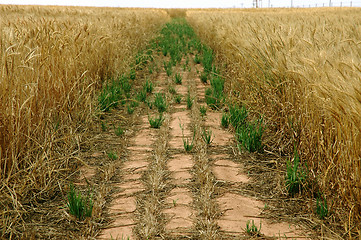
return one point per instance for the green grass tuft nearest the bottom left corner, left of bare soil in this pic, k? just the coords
(78, 205)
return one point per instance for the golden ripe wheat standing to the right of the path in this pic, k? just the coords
(301, 69)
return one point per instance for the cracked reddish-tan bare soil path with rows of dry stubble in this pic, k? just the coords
(163, 192)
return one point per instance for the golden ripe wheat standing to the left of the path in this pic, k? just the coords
(53, 60)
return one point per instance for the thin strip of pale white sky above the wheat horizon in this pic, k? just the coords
(187, 3)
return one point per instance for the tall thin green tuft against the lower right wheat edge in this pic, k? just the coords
(295, 177)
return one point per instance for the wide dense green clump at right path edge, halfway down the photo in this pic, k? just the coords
(250, 135)
